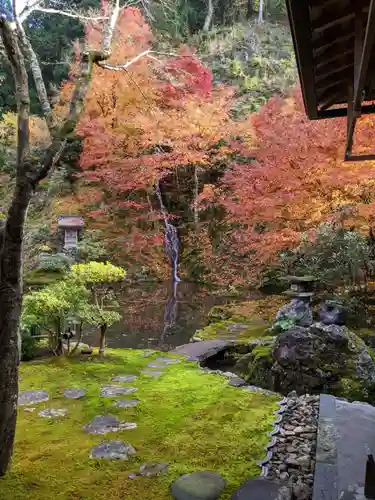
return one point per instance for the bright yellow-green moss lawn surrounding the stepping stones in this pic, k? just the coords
(189, 418)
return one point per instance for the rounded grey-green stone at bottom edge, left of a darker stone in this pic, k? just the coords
(199, 486)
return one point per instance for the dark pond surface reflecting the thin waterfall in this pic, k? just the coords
(161, 315)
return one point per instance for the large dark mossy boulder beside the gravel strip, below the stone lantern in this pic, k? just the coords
(314, 359)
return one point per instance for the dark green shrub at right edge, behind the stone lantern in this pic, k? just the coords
(335, 257)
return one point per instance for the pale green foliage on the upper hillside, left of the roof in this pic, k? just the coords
(257, 59)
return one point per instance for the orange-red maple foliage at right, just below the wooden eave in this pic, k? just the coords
(297, 180)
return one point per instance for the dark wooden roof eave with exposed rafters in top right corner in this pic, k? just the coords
(334, 45)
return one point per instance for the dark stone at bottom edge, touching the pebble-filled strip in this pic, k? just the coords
(262, 489)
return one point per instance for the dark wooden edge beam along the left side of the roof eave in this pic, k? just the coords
(299, 19)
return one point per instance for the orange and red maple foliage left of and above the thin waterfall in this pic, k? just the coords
(138, 126)
